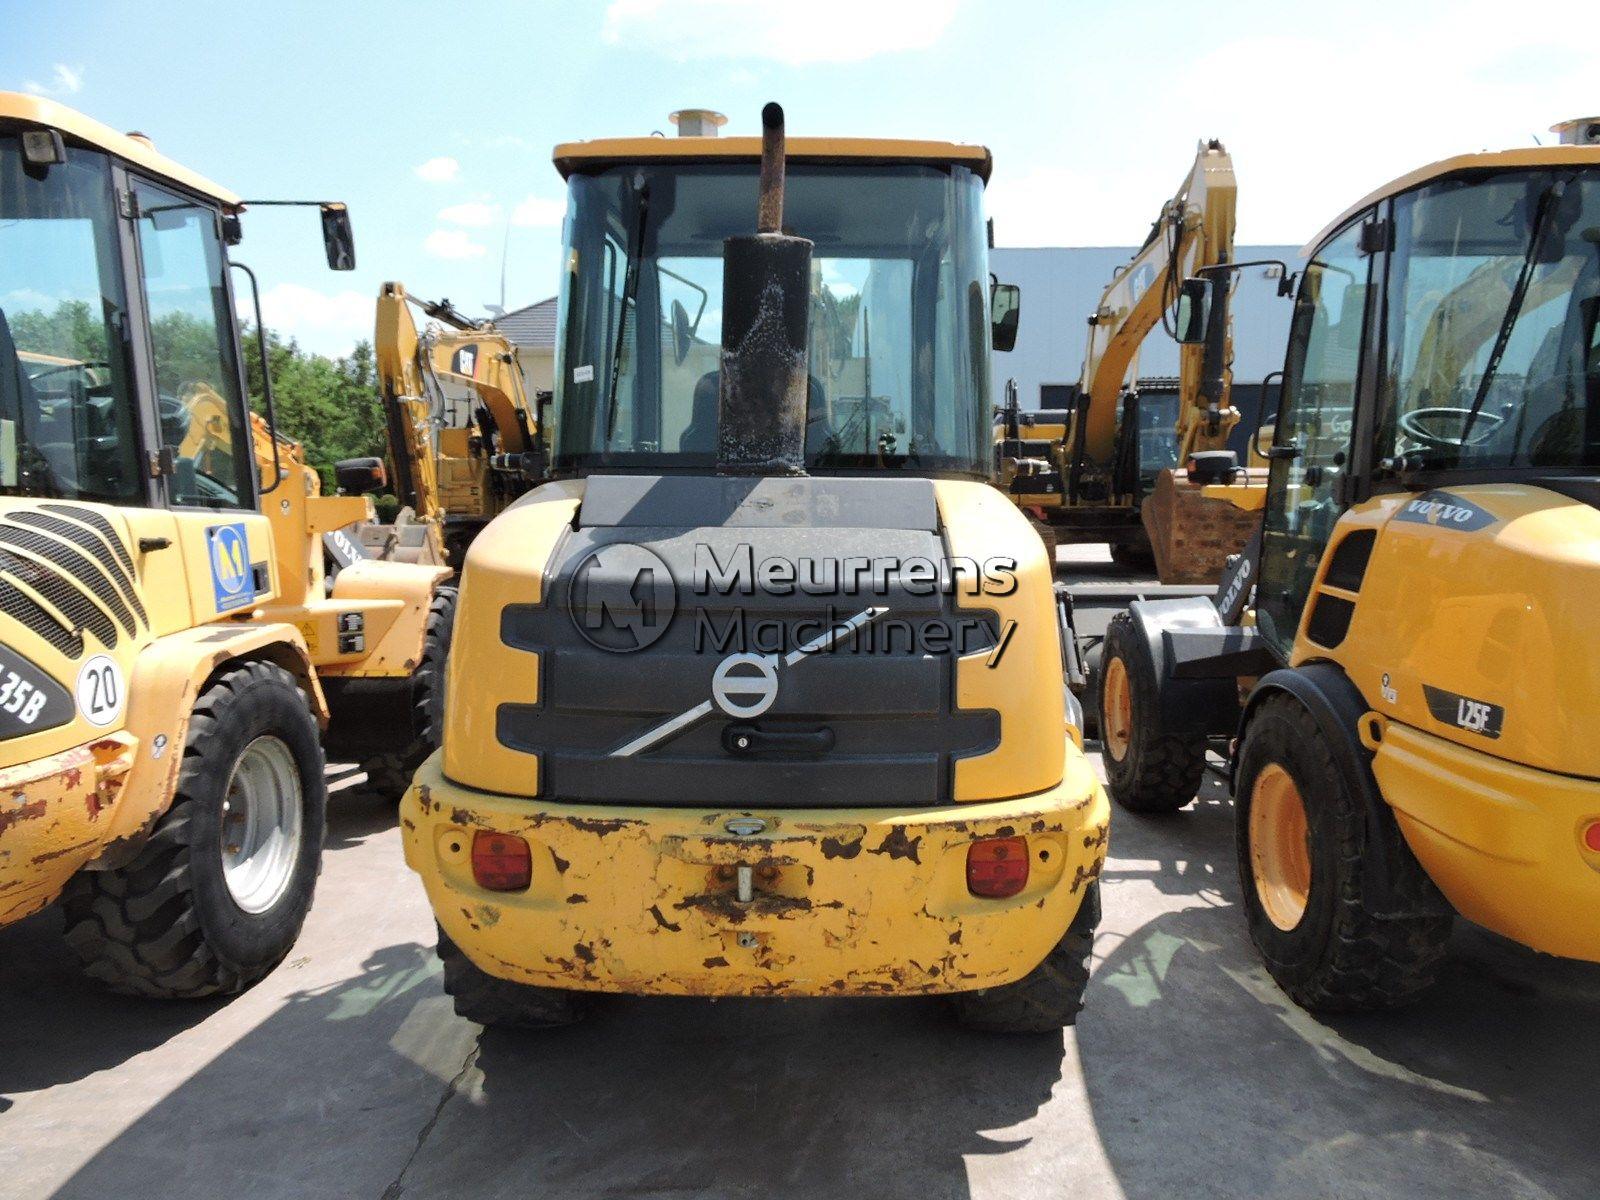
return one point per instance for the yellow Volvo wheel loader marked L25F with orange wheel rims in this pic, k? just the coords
(1409, 700)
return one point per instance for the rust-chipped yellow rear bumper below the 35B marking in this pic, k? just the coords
(55, 815)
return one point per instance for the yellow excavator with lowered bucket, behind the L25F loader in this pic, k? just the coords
(1145, 465)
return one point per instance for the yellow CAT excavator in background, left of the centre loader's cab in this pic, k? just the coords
(465, 439)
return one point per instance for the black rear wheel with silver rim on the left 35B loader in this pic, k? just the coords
(175, 922)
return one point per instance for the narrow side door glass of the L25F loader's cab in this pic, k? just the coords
(1316, 420)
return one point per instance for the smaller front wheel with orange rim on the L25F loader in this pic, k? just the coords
(1150, 769)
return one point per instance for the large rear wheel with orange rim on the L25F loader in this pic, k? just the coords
(1337, 956)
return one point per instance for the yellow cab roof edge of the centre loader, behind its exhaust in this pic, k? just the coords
(578, 158)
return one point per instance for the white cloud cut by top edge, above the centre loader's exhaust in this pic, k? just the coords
(822, 31)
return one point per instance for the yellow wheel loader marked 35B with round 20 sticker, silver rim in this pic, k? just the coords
(166, 617)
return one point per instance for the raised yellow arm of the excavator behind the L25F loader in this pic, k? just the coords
(1194, 231)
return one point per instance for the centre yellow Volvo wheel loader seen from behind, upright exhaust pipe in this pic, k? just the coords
(764, 694)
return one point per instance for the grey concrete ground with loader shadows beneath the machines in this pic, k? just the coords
(346, 1074)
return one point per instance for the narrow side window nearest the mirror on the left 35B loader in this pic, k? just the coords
(202, 414)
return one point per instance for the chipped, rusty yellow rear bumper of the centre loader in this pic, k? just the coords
(846, 902)
